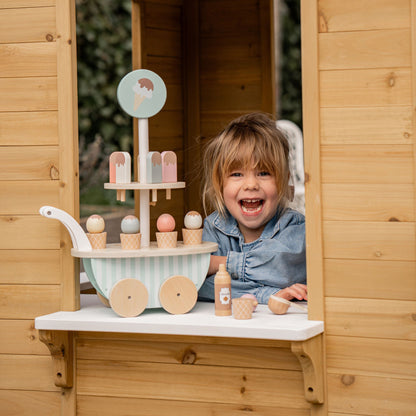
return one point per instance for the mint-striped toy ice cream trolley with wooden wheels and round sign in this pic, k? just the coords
(150, 276)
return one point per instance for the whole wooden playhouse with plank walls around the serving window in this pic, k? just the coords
(216, 56)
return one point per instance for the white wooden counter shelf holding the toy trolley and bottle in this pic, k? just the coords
(201, 321)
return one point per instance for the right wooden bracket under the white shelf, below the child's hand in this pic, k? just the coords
(310, 356)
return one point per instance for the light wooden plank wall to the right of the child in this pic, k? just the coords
(359, 63)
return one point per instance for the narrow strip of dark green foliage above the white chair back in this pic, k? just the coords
(290, 62)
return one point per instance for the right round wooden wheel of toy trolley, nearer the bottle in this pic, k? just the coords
(178, 294)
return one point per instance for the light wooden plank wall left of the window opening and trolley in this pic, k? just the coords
(38, 155)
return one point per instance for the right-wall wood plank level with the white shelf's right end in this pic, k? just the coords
(370, 318)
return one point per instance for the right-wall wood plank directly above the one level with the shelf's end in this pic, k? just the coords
(370, 279)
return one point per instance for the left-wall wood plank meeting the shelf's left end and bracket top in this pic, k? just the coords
(22, 338)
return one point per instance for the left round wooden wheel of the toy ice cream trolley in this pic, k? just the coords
(129, 298)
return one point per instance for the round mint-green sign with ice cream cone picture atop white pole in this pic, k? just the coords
(141, 93)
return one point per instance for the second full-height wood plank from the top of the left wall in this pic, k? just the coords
(28, 59)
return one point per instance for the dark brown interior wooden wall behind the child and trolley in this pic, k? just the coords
(217, 62)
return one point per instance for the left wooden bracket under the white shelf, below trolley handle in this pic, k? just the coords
(60, 346)
